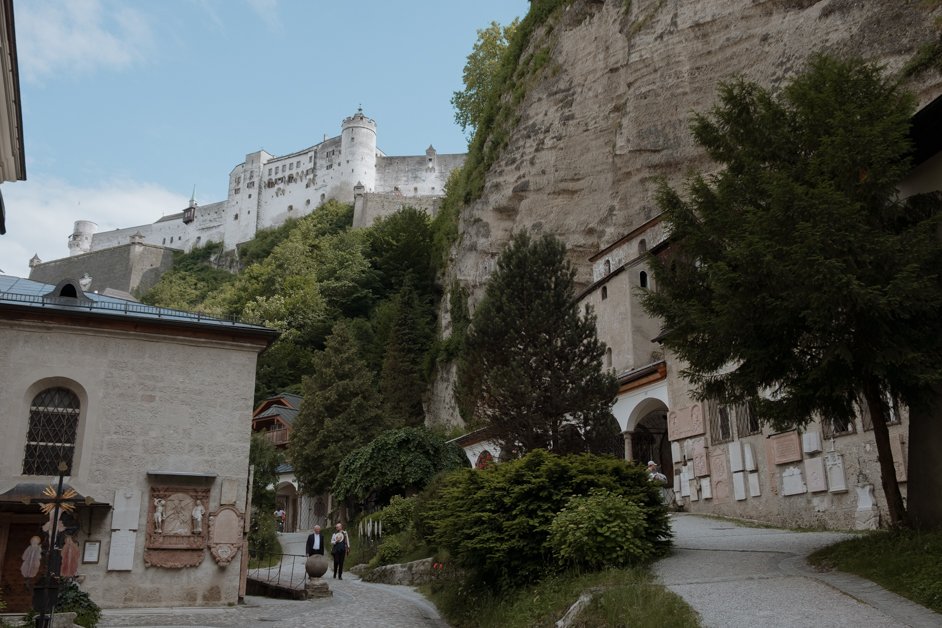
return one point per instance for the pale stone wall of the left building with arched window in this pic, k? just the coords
(148, 404)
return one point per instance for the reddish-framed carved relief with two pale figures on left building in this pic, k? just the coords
(176, 537)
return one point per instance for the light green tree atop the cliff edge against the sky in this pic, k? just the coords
(480, 72)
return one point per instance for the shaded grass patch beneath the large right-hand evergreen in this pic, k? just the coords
(905, 562)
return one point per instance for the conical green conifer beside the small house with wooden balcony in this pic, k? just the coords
(340, 412)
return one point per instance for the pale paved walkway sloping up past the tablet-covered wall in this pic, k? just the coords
(740, 577)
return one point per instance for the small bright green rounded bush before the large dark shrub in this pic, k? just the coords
(600, 530)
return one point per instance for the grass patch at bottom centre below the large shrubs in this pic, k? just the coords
(624, 597)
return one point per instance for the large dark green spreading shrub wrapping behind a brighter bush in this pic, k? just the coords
(495, 522)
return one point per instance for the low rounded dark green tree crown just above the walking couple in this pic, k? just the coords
(398, 462)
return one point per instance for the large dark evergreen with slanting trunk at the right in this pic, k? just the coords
(799, 280)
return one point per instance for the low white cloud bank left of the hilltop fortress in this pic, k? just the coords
(40, 214)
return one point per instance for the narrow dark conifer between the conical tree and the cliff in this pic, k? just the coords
(403, 380)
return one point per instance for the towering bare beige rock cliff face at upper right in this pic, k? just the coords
(608, 113)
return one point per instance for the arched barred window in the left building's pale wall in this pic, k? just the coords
(53, 426)
